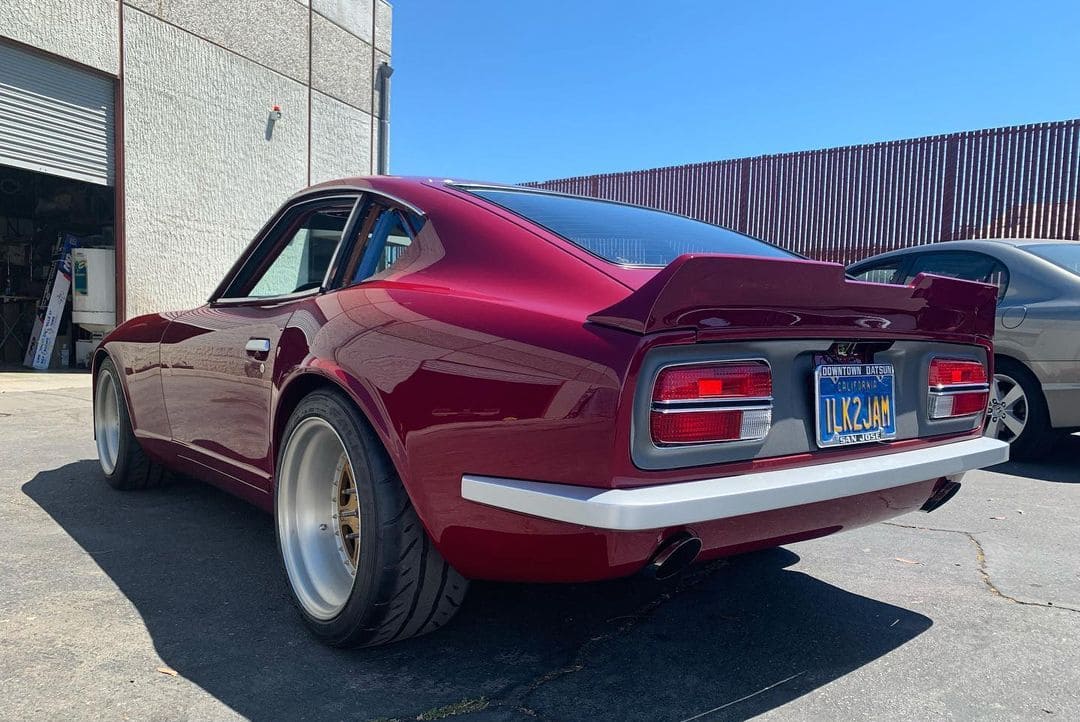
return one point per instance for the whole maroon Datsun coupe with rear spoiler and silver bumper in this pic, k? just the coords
(428, 382)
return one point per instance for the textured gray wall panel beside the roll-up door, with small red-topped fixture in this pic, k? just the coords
(200, 175)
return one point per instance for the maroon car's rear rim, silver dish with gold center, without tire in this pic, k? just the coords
(319, 519)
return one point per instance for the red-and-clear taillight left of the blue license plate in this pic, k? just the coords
(725, 402)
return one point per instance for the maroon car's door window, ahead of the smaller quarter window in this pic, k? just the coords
(296, 254)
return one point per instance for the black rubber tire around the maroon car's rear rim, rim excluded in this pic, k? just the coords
(403, 588)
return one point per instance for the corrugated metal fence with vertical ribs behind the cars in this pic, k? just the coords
(844, 205)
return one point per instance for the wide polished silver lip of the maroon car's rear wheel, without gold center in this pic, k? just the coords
(317, 567)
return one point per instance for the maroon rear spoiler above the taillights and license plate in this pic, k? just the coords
(724, 294)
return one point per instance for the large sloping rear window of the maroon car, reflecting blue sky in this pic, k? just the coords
(627, 235)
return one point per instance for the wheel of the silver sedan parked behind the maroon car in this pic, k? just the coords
(1018, 413)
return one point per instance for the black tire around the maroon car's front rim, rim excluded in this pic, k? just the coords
(133, 469)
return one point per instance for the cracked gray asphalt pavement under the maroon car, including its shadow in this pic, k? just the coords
(170, 605)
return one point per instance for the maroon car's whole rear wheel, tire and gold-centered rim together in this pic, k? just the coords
(360, 565)
